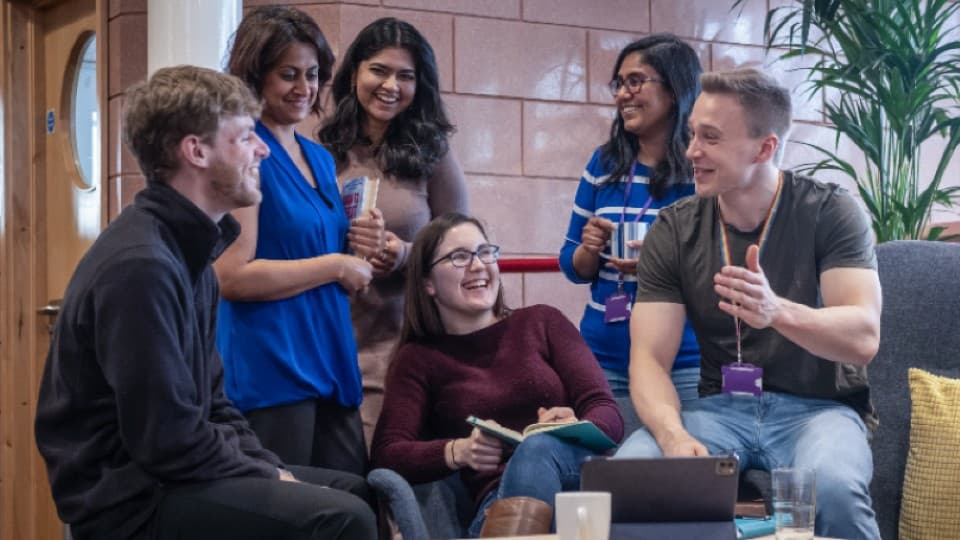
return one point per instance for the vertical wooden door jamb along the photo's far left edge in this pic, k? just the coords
(19, 239)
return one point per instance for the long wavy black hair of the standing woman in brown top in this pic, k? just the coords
(416, 138)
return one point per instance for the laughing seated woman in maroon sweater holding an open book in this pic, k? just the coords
(463, 353)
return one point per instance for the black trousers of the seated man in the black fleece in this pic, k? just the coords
(325, 504)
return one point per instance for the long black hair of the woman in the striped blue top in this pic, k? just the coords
(678, 65)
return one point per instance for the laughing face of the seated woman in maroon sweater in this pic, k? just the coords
(465, 297)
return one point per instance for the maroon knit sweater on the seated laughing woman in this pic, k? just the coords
(533, 358)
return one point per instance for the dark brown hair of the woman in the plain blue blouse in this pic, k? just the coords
(262, 38)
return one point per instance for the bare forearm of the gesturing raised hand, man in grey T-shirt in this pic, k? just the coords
(848, 334)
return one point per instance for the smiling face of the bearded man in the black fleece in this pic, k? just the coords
(234, 170)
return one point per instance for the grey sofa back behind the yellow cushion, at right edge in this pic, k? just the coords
(919, 328)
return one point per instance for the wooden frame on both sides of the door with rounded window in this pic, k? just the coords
(26, 509)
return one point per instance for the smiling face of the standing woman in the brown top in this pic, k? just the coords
(386, 83)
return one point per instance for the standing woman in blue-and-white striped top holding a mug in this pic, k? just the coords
(640, 169)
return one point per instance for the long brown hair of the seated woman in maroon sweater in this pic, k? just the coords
(421, 318)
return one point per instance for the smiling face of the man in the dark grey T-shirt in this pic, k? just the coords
(722, 151)
